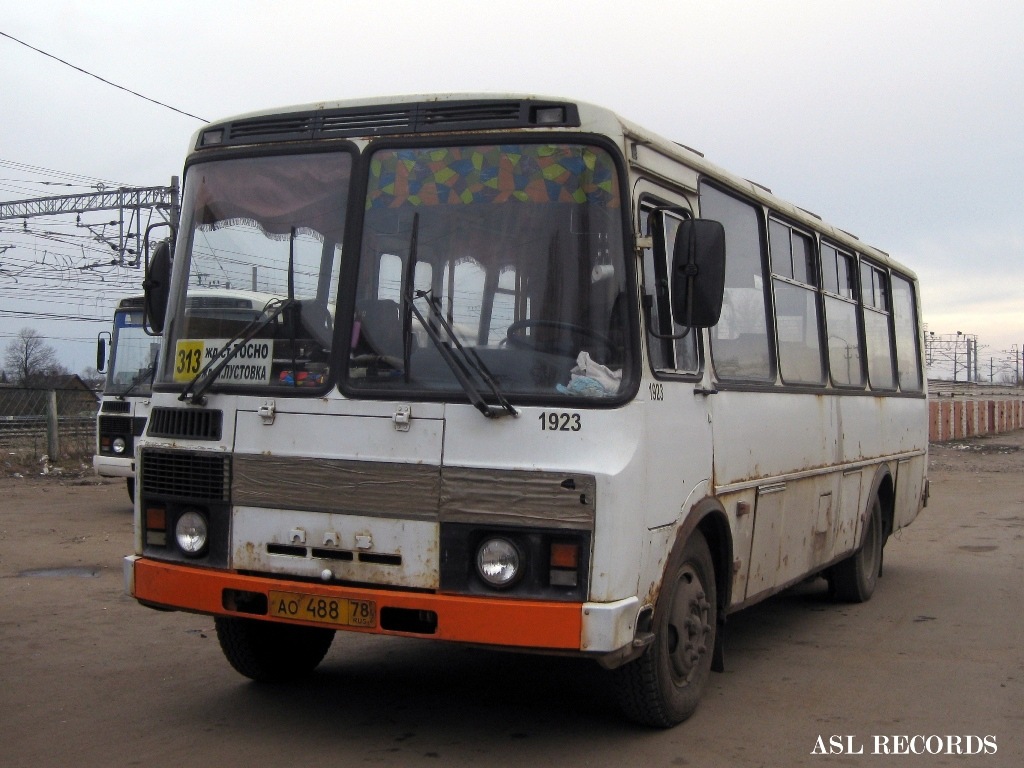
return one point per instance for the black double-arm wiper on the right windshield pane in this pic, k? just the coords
(461, 368)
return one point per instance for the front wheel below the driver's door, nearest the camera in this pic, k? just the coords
(663, 688)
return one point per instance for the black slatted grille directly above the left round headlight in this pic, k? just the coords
(177, 474)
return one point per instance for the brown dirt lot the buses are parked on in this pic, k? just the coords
(90, 678)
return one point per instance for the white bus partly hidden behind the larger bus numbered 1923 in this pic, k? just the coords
(129, 356)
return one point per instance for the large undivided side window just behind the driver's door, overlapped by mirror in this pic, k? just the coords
(741, 346)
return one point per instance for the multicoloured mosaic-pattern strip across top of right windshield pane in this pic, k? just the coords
(528, 174)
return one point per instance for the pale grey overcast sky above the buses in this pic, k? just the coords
(900, 122)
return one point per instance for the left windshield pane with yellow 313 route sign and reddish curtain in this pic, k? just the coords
(261, 237)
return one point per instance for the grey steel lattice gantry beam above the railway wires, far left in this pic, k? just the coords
(130, 201)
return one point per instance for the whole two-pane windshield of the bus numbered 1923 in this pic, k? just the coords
(492, 268)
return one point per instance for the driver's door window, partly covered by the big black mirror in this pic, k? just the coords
(667, 356)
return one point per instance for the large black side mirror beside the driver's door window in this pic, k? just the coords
(699, 273)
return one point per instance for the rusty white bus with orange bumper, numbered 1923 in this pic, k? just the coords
(535, 378)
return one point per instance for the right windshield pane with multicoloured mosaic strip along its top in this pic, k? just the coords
(511, 257)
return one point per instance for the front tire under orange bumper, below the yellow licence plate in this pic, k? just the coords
(271, 653)
